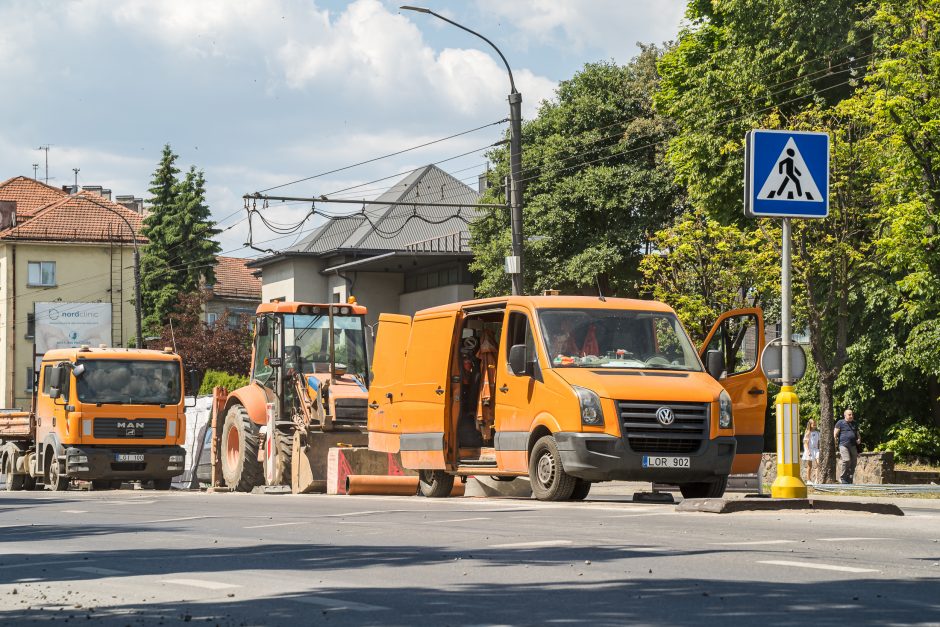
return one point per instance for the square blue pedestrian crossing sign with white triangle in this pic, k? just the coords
(786, 174)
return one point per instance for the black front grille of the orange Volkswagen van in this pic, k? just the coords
(646, 434)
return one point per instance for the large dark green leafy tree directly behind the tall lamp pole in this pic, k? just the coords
(596, 186)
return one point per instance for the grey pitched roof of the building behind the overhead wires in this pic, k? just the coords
(394, 227)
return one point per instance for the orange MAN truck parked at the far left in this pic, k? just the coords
(102, 415)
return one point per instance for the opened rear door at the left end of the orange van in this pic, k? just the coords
(388, 366)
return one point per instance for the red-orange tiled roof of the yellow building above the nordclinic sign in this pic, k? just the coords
(84, 217)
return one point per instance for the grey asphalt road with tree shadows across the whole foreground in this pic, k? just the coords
(142, 557)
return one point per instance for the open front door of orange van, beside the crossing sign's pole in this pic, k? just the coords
(739, 335)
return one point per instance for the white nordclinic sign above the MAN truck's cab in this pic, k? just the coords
(69, 325)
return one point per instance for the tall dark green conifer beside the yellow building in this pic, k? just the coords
(179, 254)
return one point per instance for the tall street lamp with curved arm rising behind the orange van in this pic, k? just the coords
(514, 263)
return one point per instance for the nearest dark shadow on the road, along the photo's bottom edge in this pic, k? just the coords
(637, 598)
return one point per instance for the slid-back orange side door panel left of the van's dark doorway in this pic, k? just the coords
(424, 409)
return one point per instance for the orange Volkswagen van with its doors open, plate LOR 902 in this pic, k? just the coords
(569, 390)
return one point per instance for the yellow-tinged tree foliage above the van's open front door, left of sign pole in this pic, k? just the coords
(703, 268)
